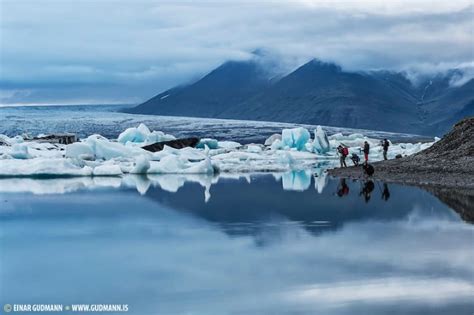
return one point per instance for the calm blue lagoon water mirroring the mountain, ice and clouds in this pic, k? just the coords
(260, 244)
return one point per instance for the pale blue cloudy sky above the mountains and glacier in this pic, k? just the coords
(117, 51)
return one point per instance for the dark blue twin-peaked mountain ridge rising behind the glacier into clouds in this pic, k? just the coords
(320, 93)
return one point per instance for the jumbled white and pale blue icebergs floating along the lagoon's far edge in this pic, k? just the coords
(293, 150)
